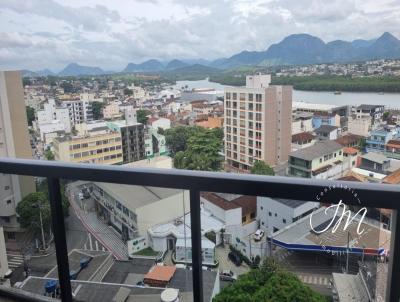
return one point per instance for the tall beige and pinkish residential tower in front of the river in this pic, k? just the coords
(258, 121)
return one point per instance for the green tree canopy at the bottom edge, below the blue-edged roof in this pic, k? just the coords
(268, 283)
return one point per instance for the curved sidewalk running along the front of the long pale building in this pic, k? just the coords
(98, 228)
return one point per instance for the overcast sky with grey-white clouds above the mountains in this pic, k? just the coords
(38, 34)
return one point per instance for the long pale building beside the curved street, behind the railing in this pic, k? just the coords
(132, 210)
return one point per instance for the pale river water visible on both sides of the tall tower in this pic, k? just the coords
(321, 97)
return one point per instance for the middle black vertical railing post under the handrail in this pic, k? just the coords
(195, 224)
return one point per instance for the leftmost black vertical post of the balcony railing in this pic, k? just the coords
(57, 219)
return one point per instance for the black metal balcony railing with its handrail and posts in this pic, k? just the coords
(371, 195)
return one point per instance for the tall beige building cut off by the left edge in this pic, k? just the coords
(14, 142)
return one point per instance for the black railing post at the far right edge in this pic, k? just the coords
(393, 280)
